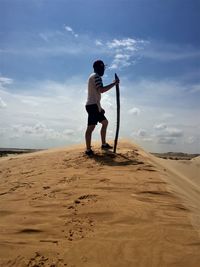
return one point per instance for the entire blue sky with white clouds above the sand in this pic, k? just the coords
(47, 48)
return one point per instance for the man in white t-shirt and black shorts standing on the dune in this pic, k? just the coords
(93, 106)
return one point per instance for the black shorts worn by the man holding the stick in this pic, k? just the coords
(94, 116)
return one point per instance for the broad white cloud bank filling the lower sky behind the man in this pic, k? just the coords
(49, 114)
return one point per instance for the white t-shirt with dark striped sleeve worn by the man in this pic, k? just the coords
(94, 94)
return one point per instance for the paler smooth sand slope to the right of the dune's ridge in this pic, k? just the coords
(183, 177)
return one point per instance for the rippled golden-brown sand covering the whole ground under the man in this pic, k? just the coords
(60, 208)
